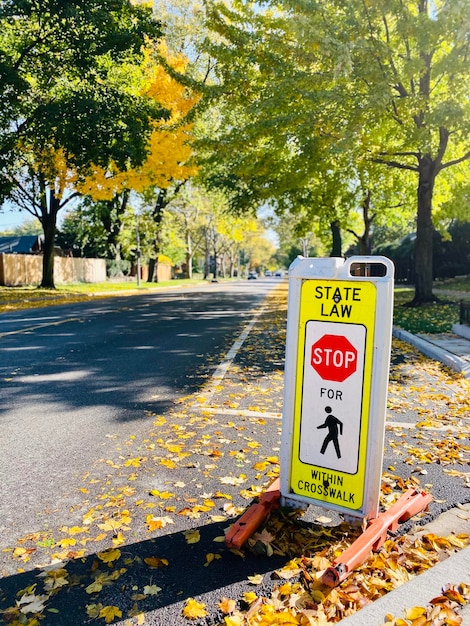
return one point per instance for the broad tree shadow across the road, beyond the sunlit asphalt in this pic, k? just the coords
(123, 353)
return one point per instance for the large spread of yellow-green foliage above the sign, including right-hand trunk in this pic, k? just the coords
(309, 88)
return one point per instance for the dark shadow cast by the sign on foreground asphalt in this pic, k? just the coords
(188, 574)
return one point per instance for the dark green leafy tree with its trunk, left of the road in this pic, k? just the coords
(69, 99)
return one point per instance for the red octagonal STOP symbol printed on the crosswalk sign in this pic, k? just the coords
(334, 357)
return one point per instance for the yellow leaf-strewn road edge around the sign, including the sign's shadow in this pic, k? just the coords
(148, 525)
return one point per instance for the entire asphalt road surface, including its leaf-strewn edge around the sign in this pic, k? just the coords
(92, 388)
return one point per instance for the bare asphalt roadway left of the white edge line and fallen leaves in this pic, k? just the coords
(76, 378)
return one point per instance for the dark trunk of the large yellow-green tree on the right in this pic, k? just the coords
(424, 232)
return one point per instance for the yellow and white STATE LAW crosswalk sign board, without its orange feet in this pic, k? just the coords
(337, 359)
